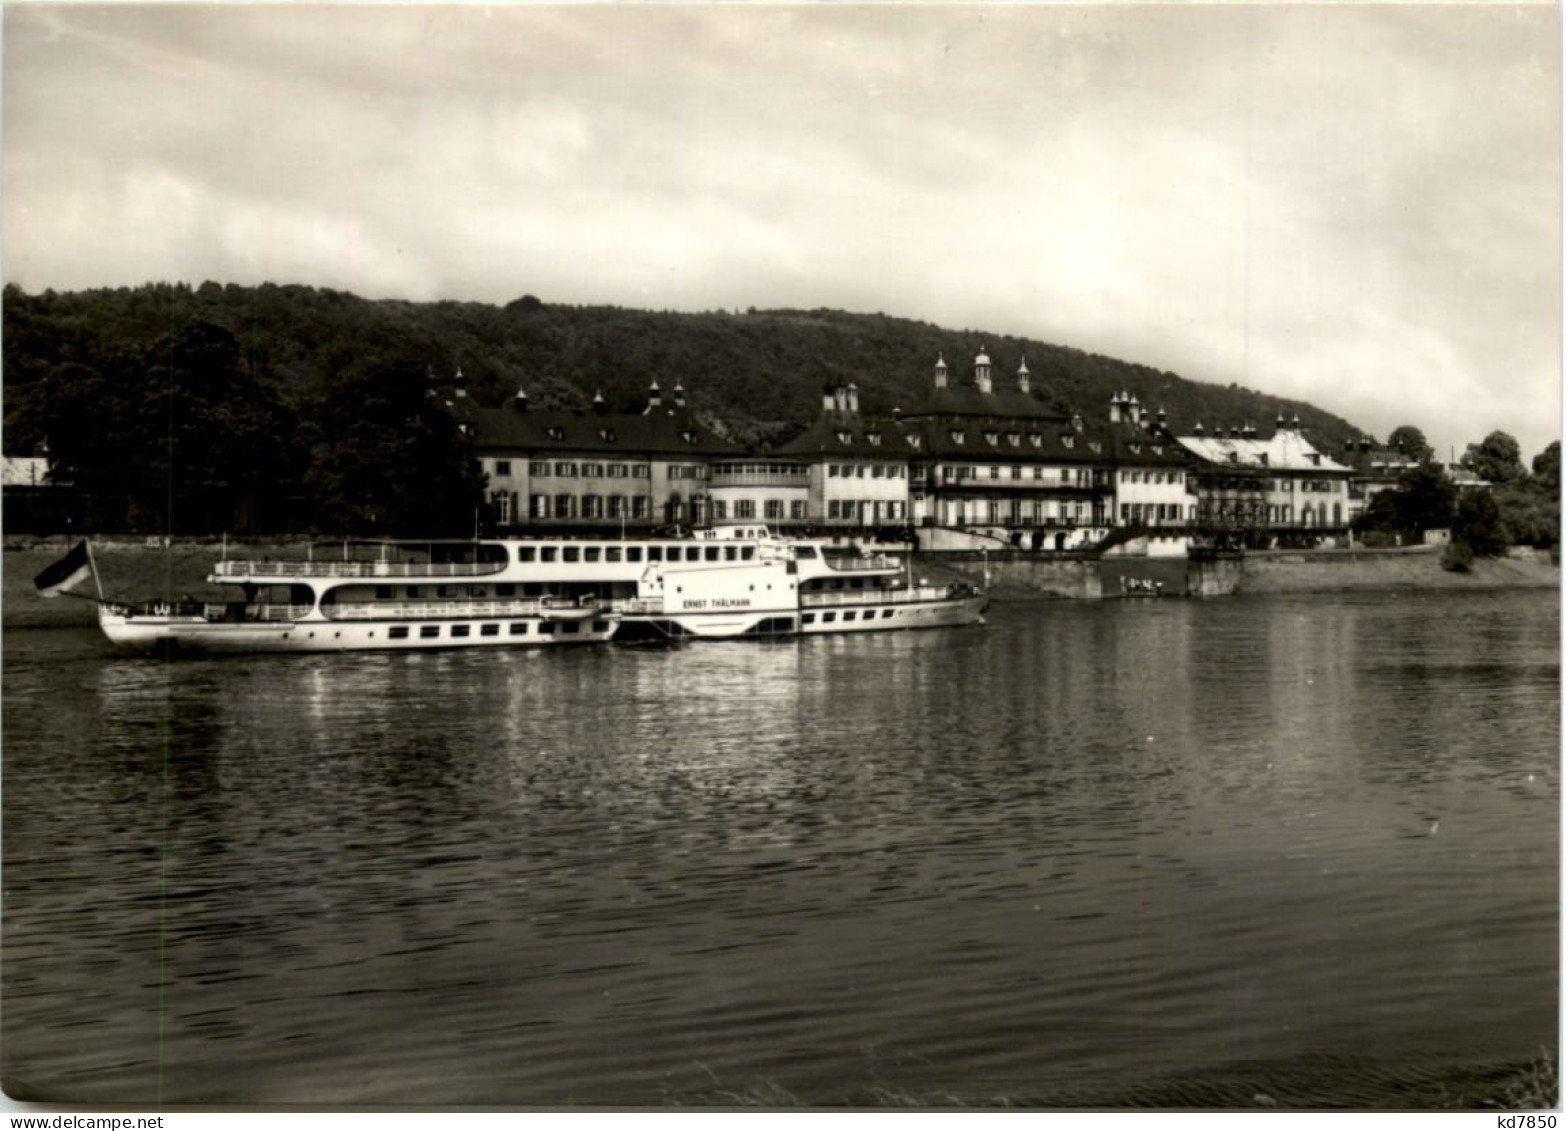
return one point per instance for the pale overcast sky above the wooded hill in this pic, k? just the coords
(1354, 206)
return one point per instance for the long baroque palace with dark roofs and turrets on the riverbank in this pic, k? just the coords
(973, 463)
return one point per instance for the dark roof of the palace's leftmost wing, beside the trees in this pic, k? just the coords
(657, 433)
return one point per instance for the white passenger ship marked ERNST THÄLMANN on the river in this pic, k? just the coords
(723, 584)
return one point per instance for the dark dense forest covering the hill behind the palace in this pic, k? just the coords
(306, 392)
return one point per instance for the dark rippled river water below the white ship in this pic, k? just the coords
(1294, 851)
